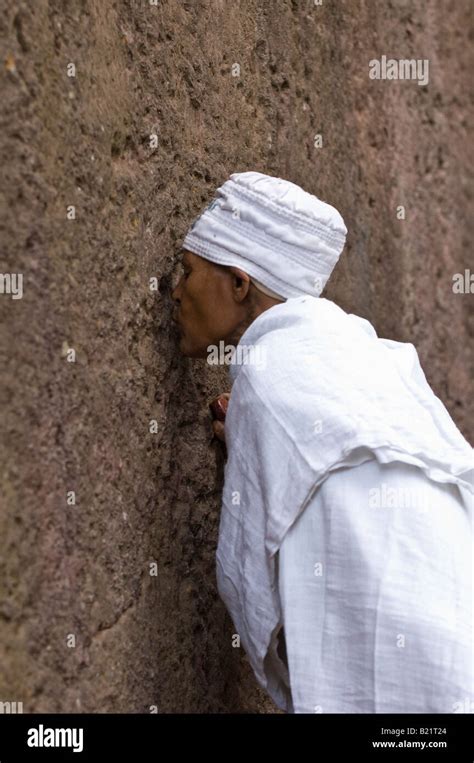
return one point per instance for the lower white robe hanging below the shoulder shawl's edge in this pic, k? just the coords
(375, 585)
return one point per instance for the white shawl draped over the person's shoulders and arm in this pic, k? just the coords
(330, 393)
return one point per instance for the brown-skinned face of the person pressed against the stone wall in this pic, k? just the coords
(212, 301)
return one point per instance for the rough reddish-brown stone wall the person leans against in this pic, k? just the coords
(83, 570)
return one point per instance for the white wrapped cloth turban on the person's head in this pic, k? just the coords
(271, 229)
